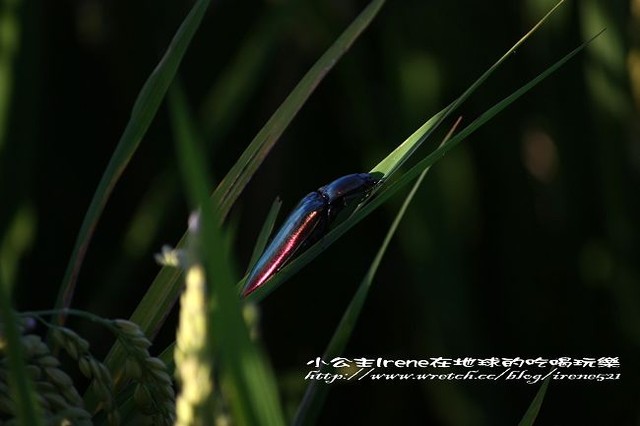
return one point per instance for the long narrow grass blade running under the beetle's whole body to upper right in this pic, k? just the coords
(389, 189)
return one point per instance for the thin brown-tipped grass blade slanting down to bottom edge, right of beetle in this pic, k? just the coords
(317, 391)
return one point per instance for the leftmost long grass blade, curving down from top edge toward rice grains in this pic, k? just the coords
(142, 114)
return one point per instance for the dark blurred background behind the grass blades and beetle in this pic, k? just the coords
(523, 241)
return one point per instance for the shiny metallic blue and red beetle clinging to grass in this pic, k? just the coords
(307, 223)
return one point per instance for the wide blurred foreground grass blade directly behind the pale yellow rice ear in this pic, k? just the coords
(248, 382)
